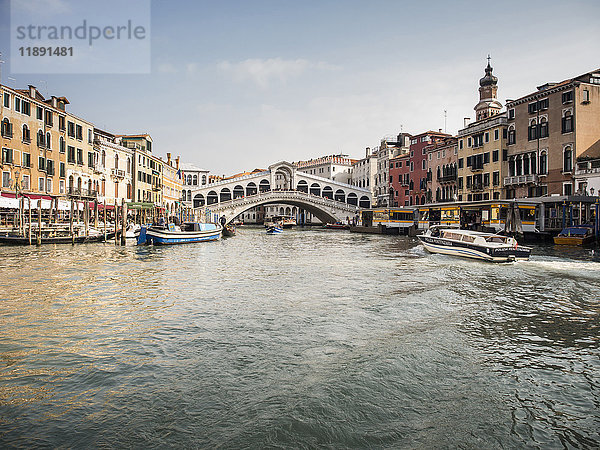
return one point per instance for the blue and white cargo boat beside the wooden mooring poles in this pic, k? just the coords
(187, 233)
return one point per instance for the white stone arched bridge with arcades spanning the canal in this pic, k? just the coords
(282, 183)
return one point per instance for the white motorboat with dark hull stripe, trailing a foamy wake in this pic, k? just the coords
(473, 244)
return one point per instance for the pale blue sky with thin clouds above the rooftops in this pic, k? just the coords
(238, 85)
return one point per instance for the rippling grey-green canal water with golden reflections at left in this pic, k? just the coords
(311, 338)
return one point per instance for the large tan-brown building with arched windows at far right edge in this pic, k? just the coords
(547, 131)
